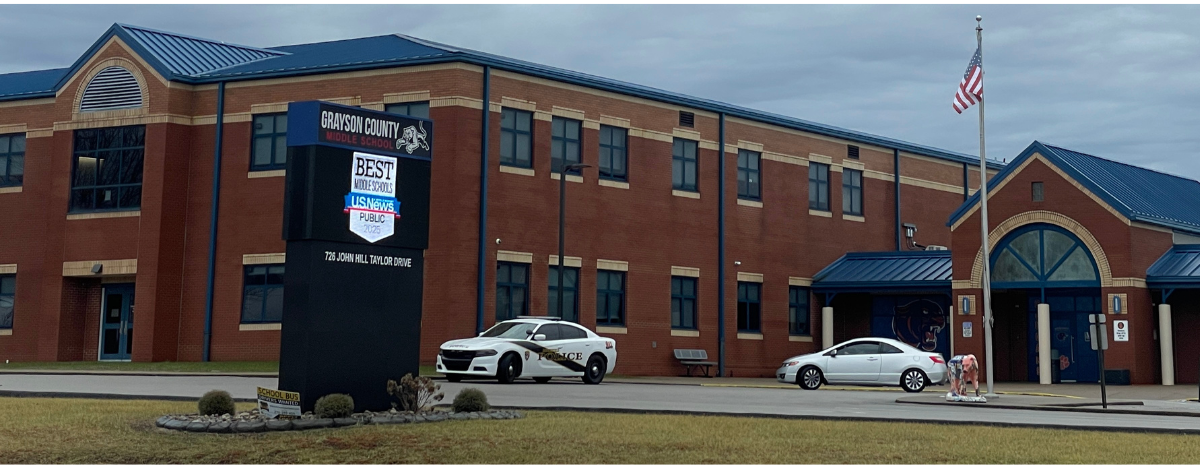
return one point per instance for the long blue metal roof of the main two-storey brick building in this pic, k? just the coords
(197, 62)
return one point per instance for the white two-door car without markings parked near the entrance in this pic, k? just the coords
(866, 361)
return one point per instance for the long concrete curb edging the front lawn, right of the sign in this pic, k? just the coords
(830, 419)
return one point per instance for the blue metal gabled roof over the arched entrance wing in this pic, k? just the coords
(1141, 195)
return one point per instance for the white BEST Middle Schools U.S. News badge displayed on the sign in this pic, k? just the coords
(373, 203)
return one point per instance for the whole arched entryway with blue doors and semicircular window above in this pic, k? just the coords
(1045, 264)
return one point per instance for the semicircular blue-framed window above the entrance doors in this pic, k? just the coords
(1043, 256)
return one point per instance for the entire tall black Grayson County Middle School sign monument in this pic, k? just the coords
(357, 224)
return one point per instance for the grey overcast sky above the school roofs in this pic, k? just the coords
(1119, 82)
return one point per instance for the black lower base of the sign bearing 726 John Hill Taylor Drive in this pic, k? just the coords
(353, 321)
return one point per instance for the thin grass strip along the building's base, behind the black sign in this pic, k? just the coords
(176, 367)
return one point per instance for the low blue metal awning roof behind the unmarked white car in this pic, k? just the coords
(886, 270)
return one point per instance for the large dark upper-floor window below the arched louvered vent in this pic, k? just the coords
(107, 170)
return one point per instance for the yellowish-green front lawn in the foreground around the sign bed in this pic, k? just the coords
(80, 431)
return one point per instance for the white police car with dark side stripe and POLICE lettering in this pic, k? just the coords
(532, 347)
